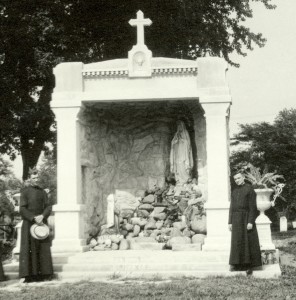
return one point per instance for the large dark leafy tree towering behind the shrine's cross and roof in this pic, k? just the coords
(37, 35)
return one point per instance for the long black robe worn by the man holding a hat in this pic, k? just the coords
(35, 255)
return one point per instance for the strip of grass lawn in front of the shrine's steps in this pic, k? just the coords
(238, 287)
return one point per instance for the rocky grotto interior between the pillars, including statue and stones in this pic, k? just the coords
(132, 155)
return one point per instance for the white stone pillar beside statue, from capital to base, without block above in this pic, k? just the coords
(217, 205)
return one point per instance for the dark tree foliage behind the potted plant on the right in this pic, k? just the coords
(273, 145)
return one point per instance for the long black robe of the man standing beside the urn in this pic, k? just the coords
(245, 247)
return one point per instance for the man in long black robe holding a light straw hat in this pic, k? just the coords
(35, 256)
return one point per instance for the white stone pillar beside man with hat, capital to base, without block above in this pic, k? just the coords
(69, 226)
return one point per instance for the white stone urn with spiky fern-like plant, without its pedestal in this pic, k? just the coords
(265, 184)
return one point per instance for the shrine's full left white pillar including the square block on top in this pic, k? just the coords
(69, 210)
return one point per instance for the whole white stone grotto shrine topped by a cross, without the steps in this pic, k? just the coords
(142, 153)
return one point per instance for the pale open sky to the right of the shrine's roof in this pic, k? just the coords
(265, 83)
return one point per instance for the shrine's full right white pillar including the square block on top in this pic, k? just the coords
(215, 100)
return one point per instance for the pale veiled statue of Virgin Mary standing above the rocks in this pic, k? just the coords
(181, 155)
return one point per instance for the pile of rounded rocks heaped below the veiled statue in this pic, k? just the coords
(172, 216)
